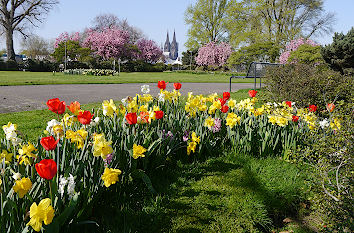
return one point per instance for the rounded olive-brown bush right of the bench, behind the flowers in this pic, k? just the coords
(306, 84)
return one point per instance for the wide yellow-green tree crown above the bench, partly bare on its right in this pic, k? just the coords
(278, 21)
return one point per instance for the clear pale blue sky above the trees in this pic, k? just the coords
(154, 17)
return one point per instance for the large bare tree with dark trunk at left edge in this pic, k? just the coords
(17, 15)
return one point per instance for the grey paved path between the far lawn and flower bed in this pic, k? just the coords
(25, 98)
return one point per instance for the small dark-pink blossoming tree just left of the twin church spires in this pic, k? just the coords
(148, 51)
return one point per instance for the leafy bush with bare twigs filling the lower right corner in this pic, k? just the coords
(330, 155)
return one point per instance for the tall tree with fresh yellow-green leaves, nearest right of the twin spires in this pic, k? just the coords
(207, 22)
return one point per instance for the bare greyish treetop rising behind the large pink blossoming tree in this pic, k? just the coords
(103, 21)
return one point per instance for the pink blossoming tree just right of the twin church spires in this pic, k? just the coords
(213, 54)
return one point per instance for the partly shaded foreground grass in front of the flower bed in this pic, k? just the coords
(231, 193)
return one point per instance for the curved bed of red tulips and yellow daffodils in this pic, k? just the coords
(52, 183)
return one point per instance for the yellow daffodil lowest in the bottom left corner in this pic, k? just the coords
(44, 212)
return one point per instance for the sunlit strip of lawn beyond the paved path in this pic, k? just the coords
(11, 78)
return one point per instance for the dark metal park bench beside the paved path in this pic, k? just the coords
(256, 70)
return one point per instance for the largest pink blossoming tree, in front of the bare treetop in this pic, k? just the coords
(109, 43)
